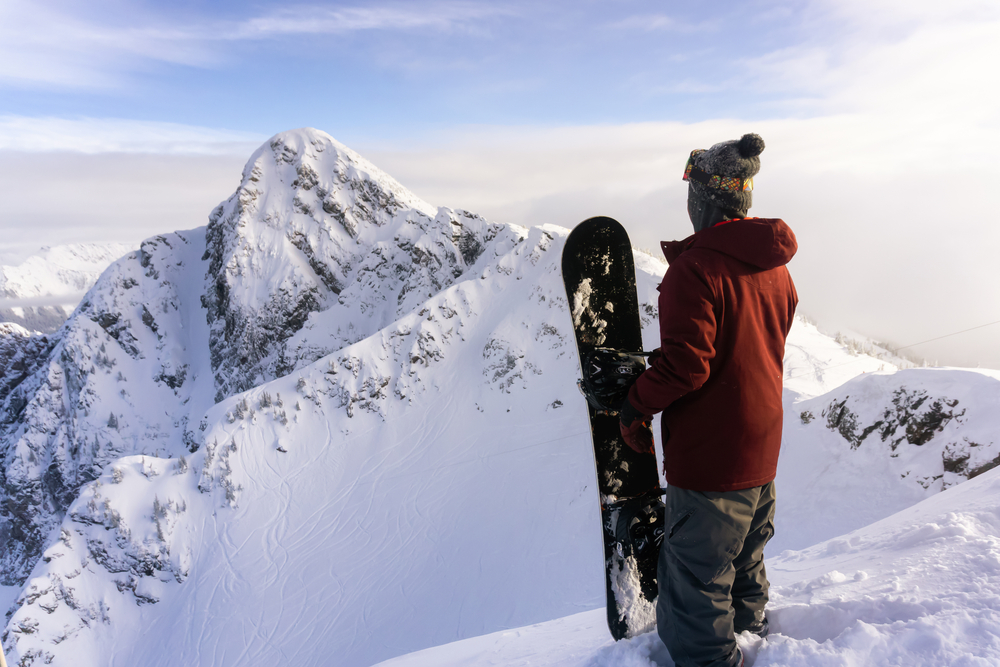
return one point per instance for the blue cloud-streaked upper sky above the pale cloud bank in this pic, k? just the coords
(376, 69)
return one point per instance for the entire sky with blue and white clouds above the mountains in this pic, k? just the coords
(120, 120)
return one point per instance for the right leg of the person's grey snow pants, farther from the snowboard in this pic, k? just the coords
(750, 585)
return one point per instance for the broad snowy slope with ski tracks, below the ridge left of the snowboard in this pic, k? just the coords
(342, 458)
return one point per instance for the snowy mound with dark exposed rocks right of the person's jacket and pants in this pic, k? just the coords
(878, 444)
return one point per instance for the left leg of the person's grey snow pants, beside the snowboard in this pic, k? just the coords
(696, 573)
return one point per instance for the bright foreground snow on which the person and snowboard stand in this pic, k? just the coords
(919, 588)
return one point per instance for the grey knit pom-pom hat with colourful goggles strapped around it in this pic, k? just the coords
(724, 173)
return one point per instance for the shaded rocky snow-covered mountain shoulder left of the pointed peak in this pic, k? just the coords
(112, 382)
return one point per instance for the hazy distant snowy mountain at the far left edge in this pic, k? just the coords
(40, 292)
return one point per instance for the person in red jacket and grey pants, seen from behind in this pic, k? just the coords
(725, 307)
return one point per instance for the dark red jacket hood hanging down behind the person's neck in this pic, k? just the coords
(762, 242)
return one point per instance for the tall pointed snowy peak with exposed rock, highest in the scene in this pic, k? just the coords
(317, 249)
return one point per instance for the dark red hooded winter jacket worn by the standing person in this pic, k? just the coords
(726, 305)
